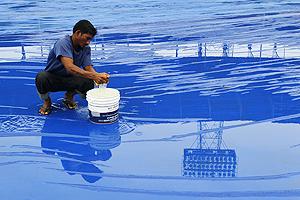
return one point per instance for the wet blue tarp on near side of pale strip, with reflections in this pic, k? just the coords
(248, 107)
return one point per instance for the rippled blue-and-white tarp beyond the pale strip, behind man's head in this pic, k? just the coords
(154, 22)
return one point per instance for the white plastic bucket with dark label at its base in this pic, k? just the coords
(103, 105)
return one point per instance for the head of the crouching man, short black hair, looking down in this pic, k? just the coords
(83, 33)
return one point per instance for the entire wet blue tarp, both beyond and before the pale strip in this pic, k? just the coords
(189, 128)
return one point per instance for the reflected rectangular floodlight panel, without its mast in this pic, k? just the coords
(200, 163)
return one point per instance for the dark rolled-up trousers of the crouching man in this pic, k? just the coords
(47, 82)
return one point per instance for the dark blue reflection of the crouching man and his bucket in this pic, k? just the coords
(86, 143)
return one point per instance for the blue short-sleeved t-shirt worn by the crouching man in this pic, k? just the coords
(63, 47)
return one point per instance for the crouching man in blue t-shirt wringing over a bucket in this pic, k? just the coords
(69, 68)
